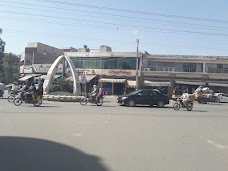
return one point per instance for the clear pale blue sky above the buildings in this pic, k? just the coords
(178, 27)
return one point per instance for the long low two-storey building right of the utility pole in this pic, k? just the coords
(187, 72)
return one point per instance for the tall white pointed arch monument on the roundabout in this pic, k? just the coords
(52, 71)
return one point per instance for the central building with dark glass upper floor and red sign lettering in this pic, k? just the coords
(115, 71)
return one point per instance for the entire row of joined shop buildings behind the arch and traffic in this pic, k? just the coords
(116, 71)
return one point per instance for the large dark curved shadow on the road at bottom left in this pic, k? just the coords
(30, 154)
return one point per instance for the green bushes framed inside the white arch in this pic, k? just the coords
(62, 85)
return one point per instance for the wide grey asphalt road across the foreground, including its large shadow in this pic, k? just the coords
(69, 137)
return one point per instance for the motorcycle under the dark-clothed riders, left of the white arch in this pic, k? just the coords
(27, 98)
